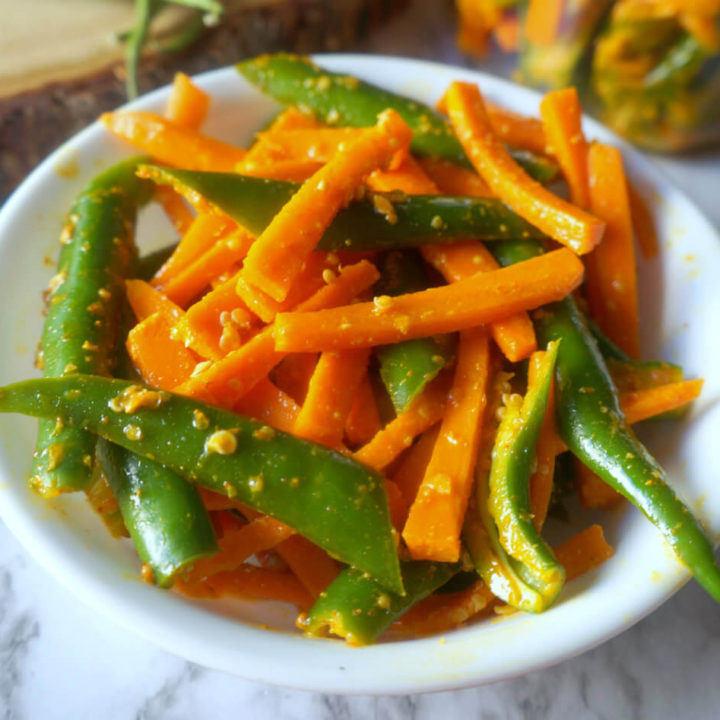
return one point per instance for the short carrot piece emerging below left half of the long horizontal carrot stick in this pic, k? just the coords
(330, 395)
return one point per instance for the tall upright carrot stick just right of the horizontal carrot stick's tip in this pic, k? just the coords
(611, 278)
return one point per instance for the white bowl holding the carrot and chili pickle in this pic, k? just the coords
(679, 304)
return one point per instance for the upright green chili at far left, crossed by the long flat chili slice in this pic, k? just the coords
(81, 325)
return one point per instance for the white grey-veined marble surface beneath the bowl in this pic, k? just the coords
(59, 660)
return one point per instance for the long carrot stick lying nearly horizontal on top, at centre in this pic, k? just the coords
(479, 299)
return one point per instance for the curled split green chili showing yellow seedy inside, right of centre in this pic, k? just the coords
(509, 499)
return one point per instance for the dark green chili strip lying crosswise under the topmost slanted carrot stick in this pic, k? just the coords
(415, 220)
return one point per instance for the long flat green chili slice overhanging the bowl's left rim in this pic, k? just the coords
(329, 498)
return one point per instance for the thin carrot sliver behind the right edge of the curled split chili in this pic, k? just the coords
(546, 450)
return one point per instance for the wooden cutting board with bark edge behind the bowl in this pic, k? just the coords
(62, 64)
